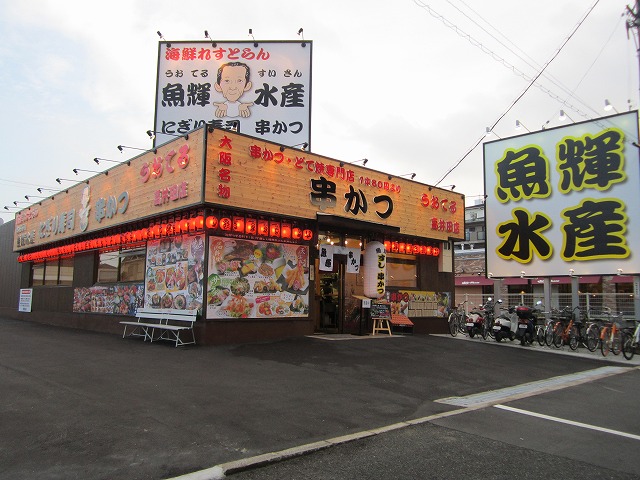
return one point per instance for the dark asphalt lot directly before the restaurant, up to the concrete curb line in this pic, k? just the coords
(85, 405)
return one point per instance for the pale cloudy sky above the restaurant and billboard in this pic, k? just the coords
(412, 85)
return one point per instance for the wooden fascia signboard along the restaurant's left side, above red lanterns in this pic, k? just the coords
(148, 185)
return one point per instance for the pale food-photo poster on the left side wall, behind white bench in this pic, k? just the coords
(175, 273)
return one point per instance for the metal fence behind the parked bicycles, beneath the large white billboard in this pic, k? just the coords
(592, 304)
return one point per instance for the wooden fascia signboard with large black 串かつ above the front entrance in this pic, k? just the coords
(249, 173)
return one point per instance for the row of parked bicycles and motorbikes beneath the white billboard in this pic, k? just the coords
(600, 330)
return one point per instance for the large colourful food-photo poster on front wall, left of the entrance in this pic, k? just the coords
(255, 279)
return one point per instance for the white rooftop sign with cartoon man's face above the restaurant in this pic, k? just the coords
(262, 89)
